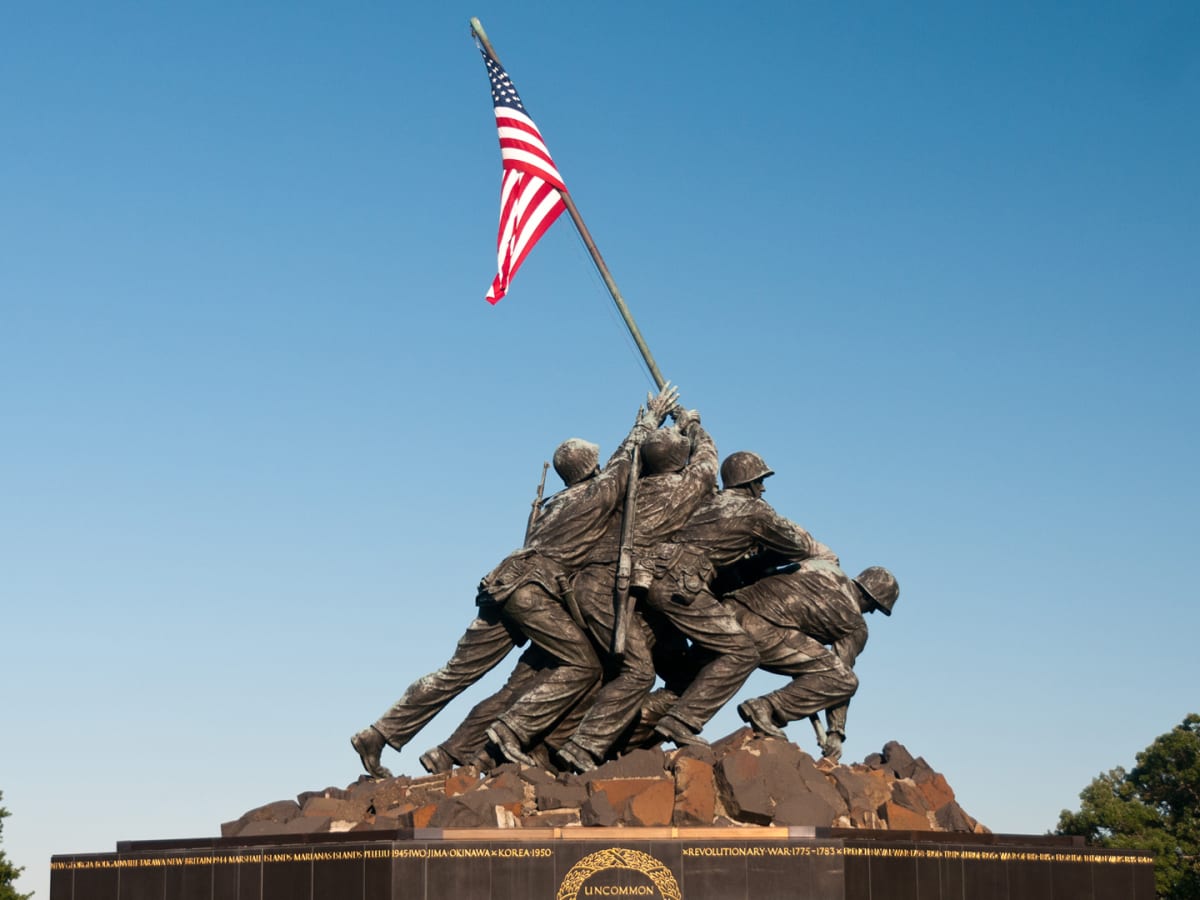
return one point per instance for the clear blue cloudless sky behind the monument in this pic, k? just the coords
(261, 435)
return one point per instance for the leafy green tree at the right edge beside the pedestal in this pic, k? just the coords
(1154, 807)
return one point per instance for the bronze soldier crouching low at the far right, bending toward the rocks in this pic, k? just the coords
(791, 617)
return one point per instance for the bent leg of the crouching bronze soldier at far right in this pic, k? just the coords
(820, 681)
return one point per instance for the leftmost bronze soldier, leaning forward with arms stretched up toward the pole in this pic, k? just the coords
(519, 601)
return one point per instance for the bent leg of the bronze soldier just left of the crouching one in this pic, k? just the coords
(713, 628)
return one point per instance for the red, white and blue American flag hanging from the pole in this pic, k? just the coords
(530, 190)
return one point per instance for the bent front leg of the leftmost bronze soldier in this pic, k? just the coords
(572, 670)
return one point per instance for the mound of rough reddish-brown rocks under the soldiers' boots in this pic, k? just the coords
(740, 781)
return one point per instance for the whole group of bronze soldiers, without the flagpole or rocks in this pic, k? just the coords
(638, 572)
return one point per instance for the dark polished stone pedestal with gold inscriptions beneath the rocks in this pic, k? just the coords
(586, 863)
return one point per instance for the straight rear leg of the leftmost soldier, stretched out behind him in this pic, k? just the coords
(487, 641)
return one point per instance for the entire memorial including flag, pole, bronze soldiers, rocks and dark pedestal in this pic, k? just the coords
(646, 593)
